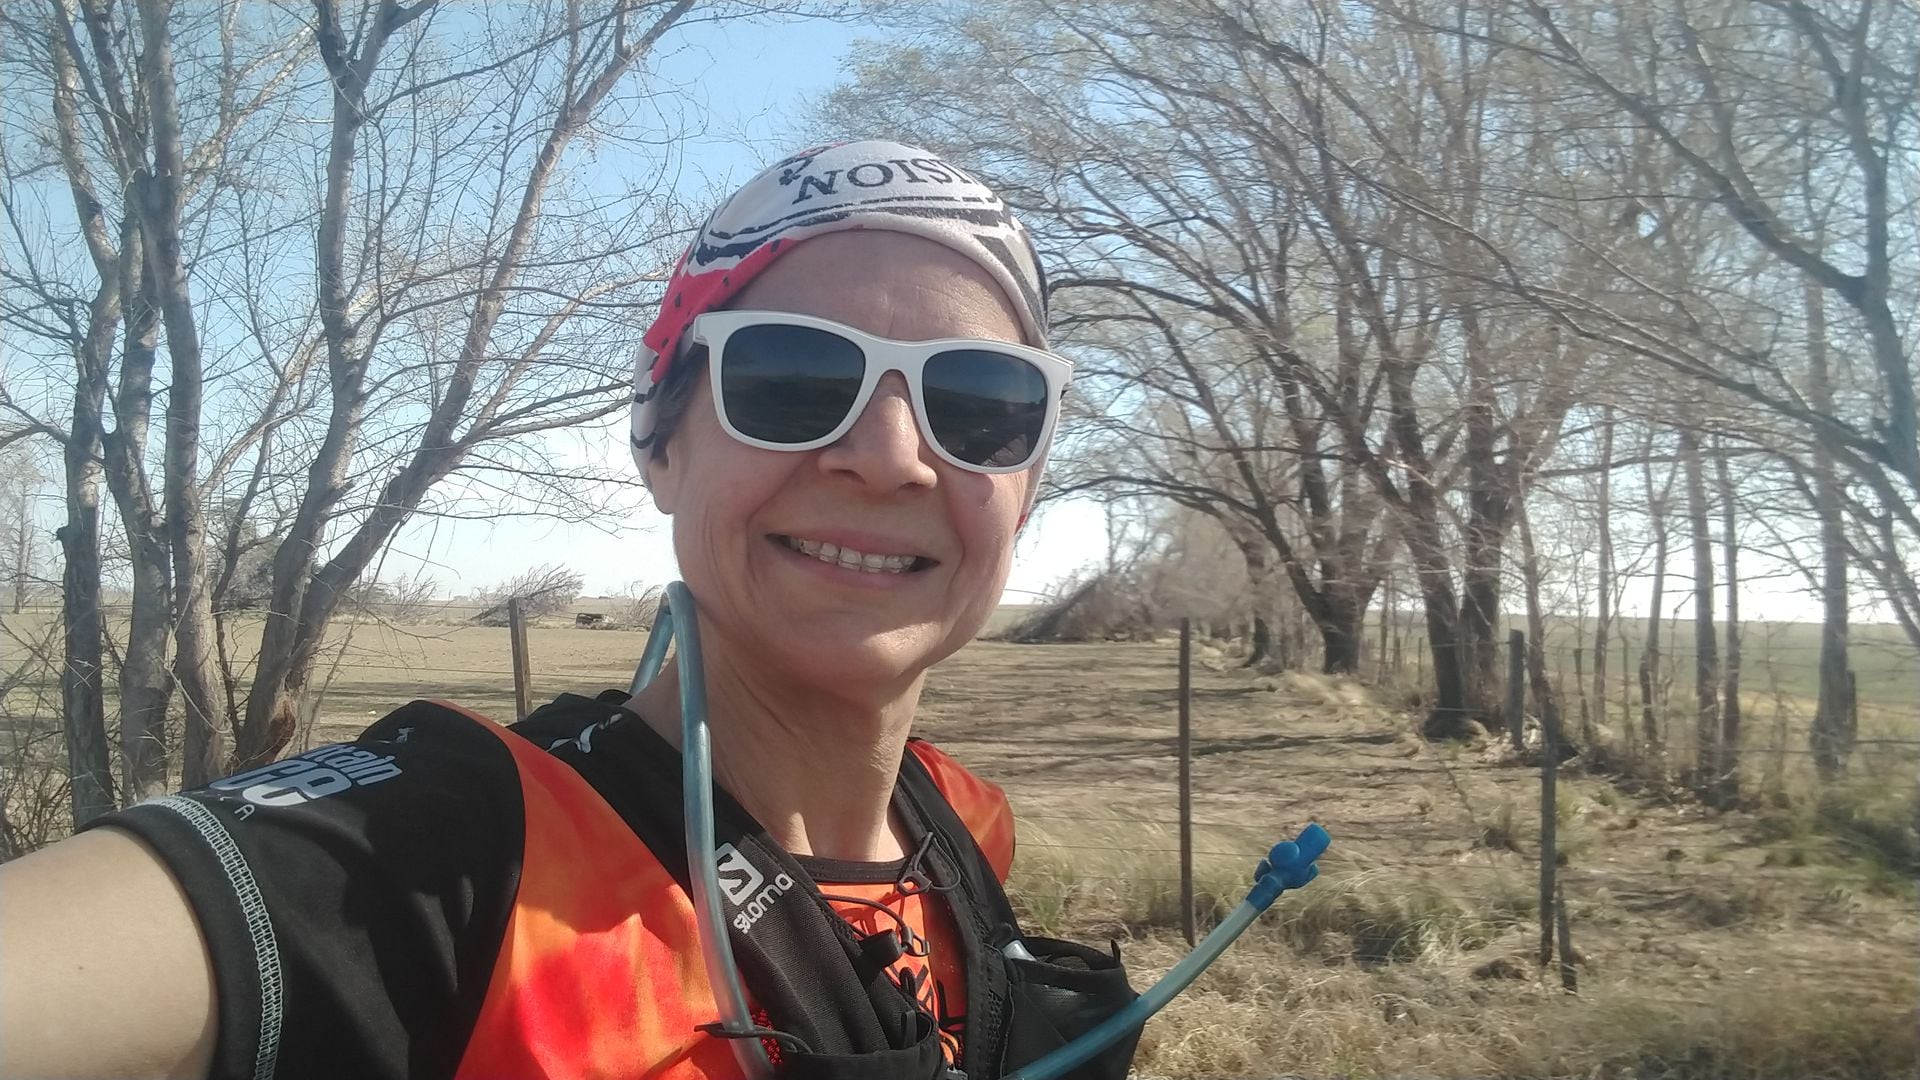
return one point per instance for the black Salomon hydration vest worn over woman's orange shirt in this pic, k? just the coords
(805, 964)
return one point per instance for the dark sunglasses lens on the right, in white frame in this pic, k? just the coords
(988, 408)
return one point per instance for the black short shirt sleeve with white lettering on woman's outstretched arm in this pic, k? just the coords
(354, 896)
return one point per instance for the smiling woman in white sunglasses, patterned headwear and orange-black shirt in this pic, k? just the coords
(846, 408)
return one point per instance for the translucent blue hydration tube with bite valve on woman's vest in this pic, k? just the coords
(1287, 866)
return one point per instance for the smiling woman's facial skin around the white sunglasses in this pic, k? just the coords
(740, 514)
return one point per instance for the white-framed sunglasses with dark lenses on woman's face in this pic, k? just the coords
(788, 381)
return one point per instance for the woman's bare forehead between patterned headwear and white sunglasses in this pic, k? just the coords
(886, 283)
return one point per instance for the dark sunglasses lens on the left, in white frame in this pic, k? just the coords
(788, 383)
